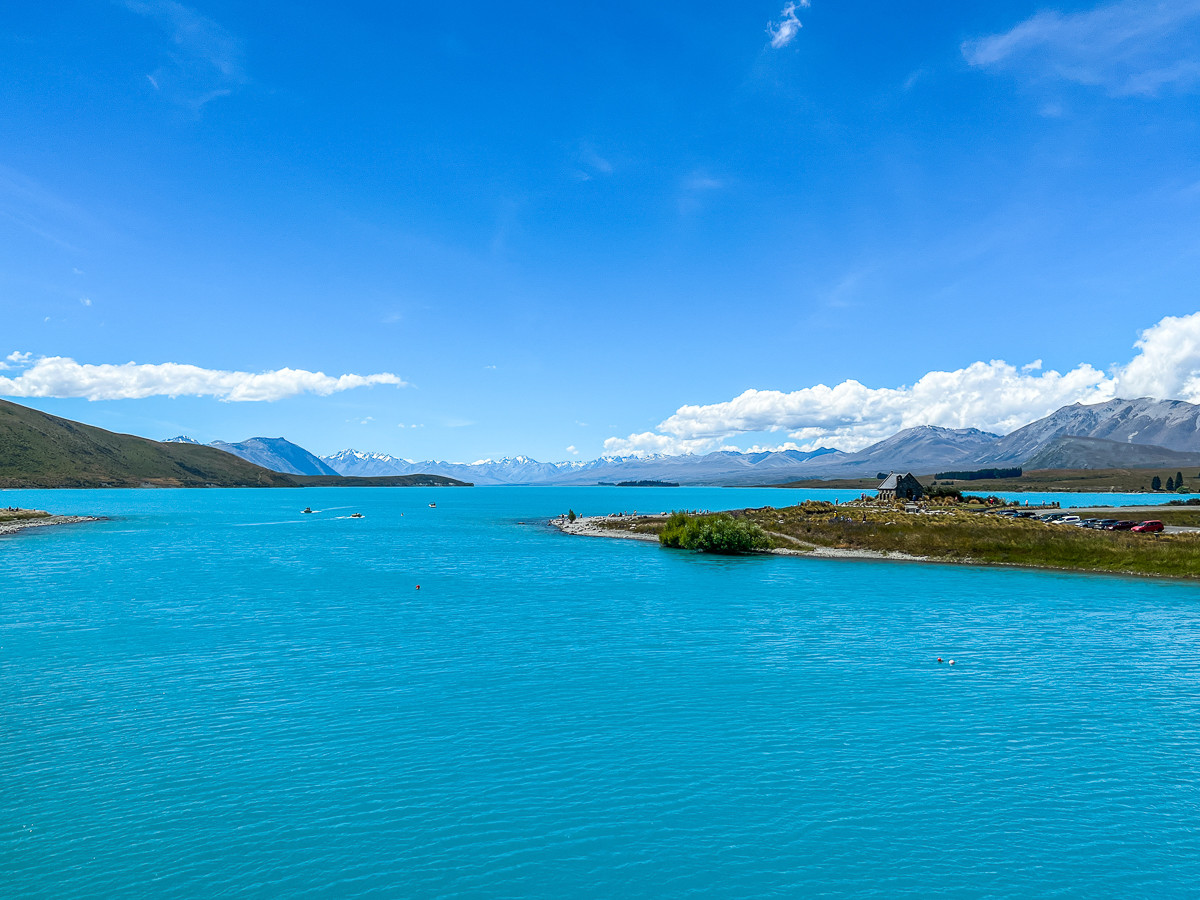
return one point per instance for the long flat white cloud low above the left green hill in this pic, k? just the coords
(63, 377)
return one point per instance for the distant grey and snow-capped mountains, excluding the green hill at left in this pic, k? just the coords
(1130, 434)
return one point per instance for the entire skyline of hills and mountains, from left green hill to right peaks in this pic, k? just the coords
(41, 451)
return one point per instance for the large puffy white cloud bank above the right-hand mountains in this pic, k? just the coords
(994, 397)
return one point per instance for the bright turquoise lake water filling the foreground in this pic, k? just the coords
(215, 697)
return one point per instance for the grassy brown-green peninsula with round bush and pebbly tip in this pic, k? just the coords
(949, 532)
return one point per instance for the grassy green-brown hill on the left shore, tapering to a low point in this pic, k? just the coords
(43, 451)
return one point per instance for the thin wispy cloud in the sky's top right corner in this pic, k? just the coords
(1131, 47)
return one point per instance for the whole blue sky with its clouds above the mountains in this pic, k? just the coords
(560, 231)
